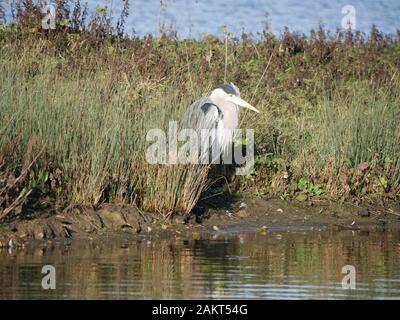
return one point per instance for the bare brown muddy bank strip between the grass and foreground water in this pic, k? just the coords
(255, 215)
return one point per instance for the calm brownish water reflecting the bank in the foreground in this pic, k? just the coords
(245, 266)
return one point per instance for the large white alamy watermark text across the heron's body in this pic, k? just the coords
(190, 146)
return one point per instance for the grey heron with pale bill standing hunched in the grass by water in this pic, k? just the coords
(215, 118)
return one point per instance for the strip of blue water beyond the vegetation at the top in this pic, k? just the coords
(194, 18)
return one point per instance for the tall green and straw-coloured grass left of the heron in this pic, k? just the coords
(93, 128)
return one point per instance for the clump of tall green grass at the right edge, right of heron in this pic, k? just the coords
(353, 140)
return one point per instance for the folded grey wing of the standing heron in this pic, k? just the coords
(204, 116)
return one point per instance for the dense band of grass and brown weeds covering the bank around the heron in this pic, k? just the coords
(329, 119)
